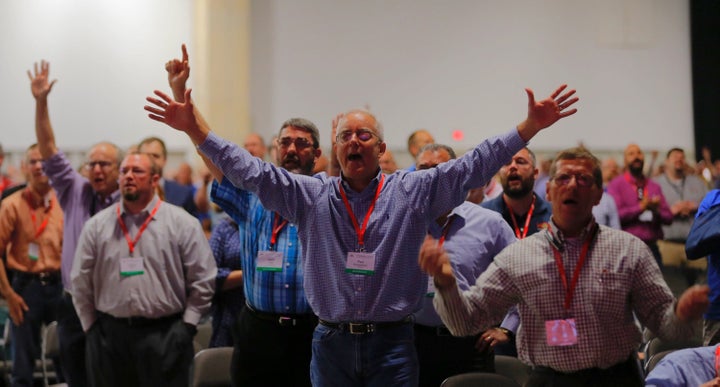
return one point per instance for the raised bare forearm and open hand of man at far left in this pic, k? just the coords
(40, 88)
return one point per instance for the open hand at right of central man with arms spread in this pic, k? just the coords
(542, 114)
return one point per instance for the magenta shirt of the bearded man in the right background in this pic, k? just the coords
(625, 192)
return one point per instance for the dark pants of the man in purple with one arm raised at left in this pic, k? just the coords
(72, 343)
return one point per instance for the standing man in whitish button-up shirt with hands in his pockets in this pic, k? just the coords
(143, 276)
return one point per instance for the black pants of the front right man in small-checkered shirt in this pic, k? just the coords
(625, 374)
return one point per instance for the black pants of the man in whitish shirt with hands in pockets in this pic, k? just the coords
(144, 354)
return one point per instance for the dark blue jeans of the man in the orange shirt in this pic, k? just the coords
(42, 301)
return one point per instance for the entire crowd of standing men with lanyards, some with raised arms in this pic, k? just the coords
(343, 269)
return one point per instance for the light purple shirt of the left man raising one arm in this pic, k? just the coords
(78, 201)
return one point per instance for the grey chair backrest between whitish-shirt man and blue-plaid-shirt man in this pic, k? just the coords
(211, 368)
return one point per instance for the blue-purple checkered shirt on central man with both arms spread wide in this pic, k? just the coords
(396, 228)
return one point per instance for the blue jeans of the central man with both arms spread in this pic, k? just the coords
(383, 358)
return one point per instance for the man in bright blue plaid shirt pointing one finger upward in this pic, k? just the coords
(273, 332)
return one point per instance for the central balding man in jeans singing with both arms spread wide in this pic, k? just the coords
(361, 232)
